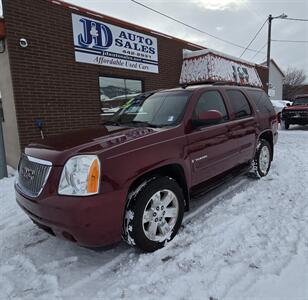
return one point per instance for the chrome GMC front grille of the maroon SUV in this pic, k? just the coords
(32, 175)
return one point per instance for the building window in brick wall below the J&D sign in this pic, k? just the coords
(118, 89)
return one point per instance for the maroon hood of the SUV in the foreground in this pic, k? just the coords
(58, 148)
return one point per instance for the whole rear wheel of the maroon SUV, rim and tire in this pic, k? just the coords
(261, 163)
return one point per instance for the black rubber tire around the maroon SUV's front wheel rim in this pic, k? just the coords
(134, 232)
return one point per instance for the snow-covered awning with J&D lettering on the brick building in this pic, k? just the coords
(212, 66)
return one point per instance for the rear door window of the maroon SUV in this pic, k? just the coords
(239, 104)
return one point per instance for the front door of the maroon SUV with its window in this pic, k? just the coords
(209, 147)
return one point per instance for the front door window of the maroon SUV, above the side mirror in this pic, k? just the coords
(211, 100)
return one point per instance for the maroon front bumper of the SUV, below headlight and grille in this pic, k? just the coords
(90, 221)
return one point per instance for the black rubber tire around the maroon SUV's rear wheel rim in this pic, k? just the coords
(257, 170)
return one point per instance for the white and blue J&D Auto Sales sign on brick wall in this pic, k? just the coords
(108, 45)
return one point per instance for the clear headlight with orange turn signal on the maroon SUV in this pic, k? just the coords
(80, 176)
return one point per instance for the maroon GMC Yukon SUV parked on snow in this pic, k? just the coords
(134, 176)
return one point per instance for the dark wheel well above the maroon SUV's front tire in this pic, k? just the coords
(175, 171)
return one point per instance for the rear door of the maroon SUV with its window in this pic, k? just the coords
(243, 126)
